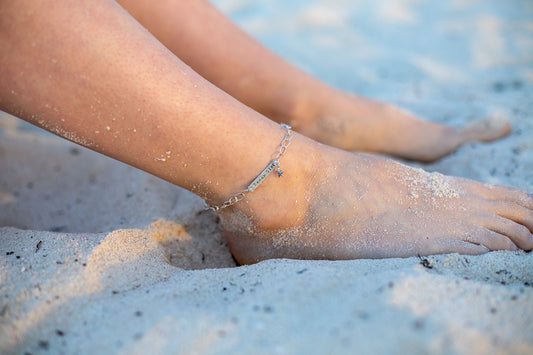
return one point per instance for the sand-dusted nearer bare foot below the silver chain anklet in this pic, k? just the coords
(337, 205)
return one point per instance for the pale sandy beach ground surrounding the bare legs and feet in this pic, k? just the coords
(98, 257)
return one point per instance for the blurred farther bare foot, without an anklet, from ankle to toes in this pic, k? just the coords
(354, 123)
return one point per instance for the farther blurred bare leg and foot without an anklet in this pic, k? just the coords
(196, 32)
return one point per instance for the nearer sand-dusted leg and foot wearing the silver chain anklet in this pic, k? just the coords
(104, 82)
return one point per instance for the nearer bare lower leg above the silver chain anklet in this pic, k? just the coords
(89, 72)
